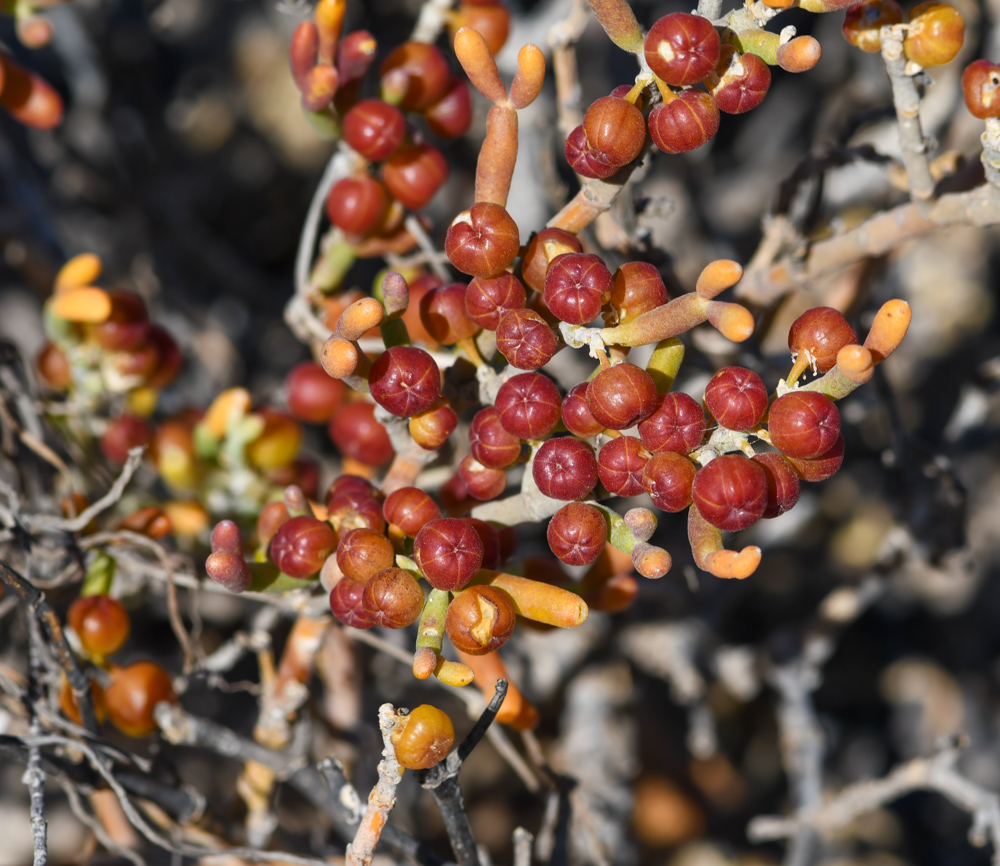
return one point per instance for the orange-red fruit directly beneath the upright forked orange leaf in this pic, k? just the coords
(482, 240)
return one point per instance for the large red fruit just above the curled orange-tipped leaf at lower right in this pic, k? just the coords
(731, 492)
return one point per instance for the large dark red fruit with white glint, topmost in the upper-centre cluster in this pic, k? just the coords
(682, 49)
